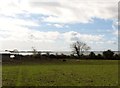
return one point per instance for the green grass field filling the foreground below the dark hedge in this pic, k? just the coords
(59, 73)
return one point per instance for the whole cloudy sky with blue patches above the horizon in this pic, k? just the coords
(55, 24)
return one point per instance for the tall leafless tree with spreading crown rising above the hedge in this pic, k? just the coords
(79, 48)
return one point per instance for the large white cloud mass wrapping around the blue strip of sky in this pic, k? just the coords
(57, 12)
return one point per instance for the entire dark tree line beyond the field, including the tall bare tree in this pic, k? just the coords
(78, 49)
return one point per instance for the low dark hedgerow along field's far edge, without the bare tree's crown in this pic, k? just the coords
(106, 55)
